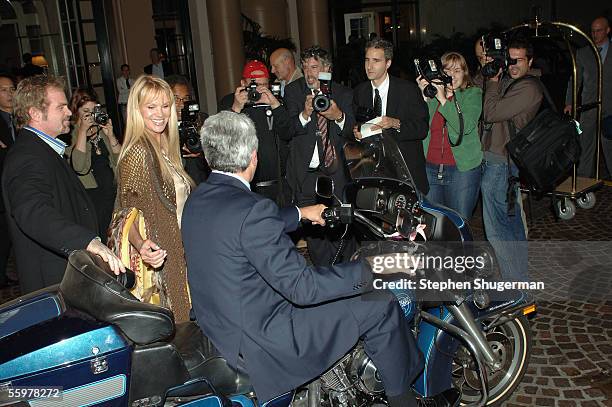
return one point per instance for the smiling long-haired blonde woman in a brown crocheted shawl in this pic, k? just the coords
(151, 179)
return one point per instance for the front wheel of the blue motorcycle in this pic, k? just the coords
(511, 342)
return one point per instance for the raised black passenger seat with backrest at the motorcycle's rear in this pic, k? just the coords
(89, 285)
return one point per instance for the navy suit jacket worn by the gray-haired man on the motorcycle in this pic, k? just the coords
(253, 293)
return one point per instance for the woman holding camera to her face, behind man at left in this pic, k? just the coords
(93, 153)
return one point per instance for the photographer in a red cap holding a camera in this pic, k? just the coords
(261, 104)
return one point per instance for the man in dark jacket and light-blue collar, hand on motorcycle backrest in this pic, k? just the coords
(48, 211)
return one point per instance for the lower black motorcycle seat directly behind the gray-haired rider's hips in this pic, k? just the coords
(203, 360)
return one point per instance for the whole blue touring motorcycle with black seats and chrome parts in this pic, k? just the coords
(89, 342)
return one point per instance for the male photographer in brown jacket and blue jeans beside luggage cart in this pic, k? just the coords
(512, 99)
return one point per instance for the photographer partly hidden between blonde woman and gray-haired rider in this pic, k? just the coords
(190, 120)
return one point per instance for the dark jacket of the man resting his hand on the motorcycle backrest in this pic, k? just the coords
(49, 213)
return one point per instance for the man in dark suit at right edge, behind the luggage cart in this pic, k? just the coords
(587, 88)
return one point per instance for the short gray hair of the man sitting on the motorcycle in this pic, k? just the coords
(228, 140)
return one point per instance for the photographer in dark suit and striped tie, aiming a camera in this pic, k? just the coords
(317, 140)
